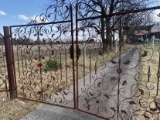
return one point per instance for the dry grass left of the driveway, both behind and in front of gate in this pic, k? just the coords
(15, 109)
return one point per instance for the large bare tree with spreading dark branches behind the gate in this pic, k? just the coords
(107, 24)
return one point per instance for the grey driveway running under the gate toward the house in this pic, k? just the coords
(100, 92)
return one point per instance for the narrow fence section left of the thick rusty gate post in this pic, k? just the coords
(4, 86)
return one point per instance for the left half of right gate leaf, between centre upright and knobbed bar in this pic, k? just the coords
(98, 81)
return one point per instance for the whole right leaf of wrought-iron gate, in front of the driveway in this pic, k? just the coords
(116, 82)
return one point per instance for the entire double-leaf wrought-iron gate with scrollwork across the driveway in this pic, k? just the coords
(65, 63)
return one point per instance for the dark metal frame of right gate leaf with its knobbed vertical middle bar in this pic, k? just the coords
(119, 55)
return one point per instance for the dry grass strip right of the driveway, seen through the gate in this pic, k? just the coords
(148, 81)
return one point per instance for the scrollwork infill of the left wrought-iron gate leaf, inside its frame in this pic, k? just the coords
(44, 69)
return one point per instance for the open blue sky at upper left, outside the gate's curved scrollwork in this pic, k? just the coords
(13, 12)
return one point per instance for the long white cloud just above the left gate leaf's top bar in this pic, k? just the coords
(34, 17)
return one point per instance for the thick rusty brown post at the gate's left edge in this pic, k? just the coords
(10, 63)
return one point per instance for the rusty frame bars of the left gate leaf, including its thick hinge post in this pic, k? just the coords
(11, 62)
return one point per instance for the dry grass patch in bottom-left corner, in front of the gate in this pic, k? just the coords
(15, 109)
